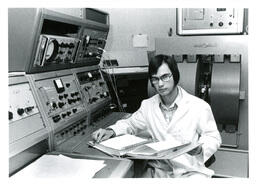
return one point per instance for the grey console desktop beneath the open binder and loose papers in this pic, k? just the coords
(115, 167)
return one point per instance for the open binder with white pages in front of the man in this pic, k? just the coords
(133, 147)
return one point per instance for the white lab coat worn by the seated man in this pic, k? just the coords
(192, 121)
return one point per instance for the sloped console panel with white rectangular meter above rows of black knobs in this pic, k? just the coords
(60, 97)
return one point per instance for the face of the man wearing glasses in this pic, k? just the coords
(163, 80)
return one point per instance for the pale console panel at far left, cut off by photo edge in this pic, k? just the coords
(26, 126)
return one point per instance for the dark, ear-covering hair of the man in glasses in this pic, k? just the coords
(156, 61)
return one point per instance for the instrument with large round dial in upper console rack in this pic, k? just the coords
(56, 50)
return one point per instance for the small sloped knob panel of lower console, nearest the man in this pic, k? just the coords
(93, 87)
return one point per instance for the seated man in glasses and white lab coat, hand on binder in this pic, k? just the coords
(172, 114)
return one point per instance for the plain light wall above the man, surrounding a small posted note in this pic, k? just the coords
(155, 22)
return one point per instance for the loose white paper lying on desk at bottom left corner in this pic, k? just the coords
(52, 166)
